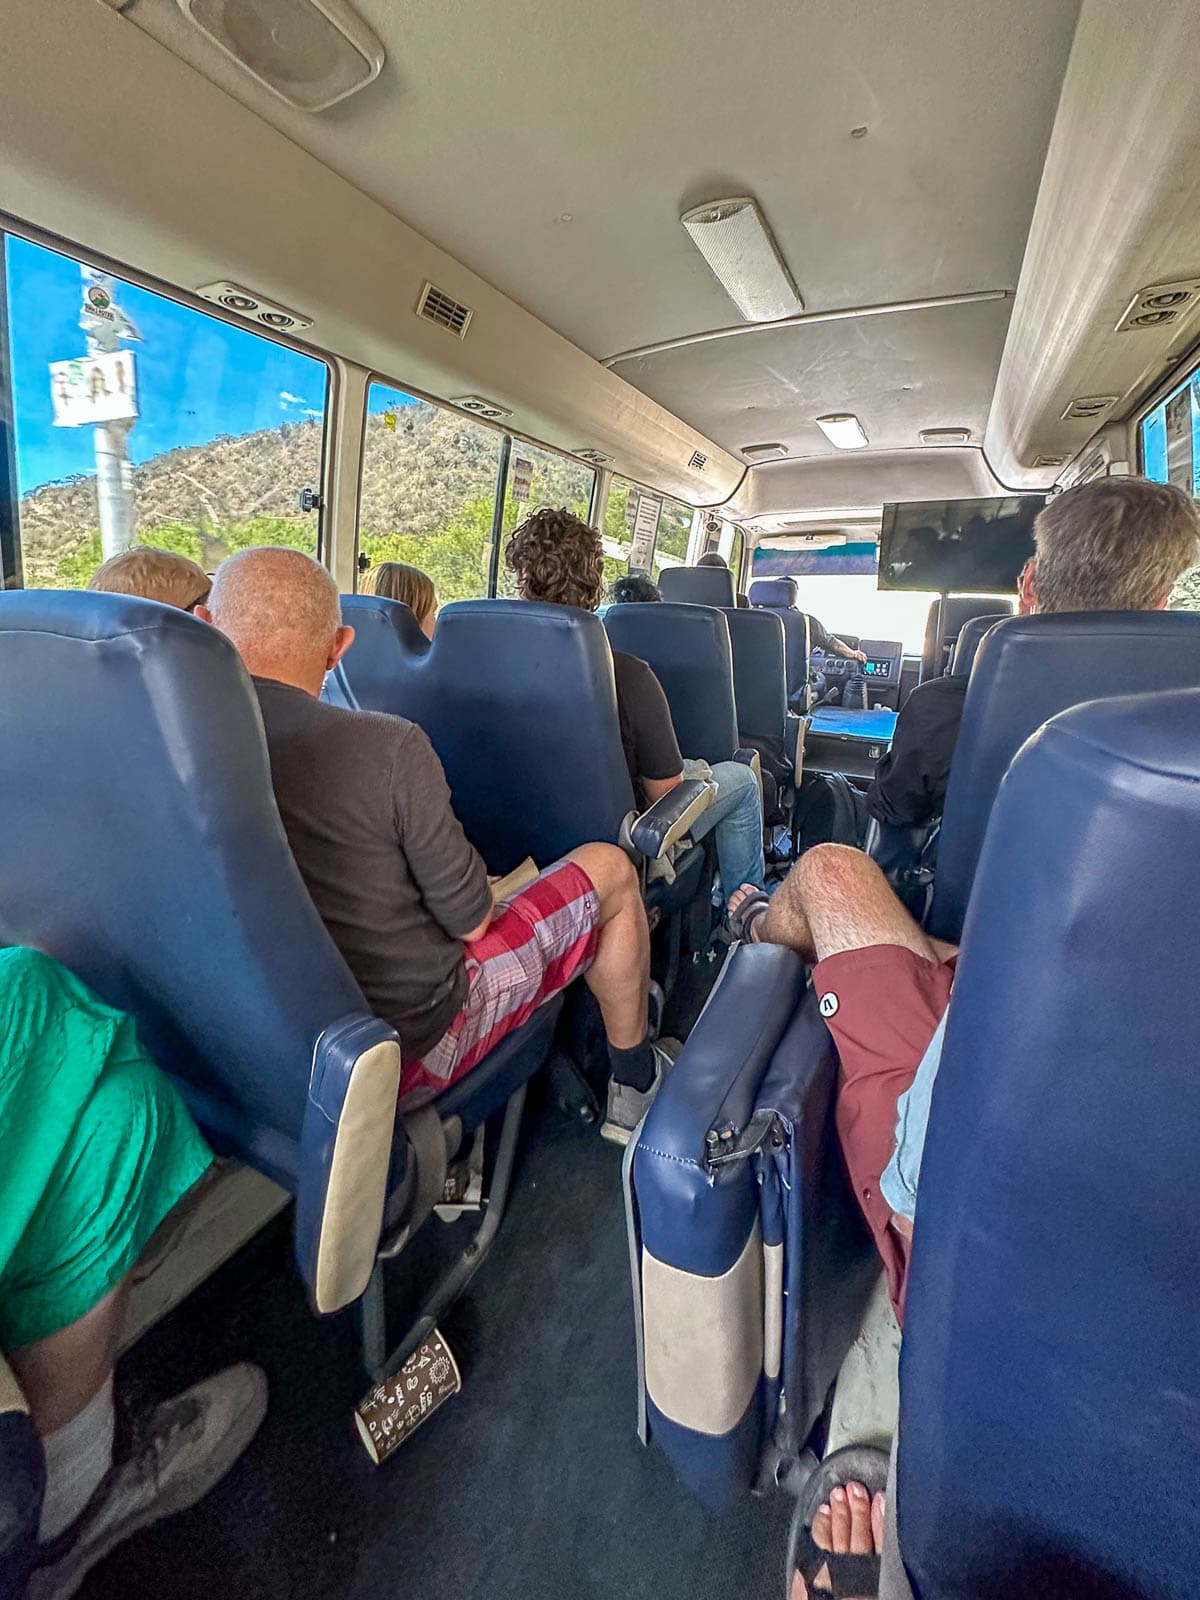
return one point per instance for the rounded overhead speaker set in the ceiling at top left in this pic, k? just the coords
(311, 54)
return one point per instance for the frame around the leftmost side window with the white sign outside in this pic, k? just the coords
(178, 297)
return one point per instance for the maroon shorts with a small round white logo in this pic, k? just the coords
(882, 1006)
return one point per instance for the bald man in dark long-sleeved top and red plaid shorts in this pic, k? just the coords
(406, 897)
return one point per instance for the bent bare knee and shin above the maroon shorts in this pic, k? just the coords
(838, 900)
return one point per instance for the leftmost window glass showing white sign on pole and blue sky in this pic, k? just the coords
(204, 434)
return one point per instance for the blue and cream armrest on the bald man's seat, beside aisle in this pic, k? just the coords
(346, 1153)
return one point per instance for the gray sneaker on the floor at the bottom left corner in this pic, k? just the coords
(185, 1450)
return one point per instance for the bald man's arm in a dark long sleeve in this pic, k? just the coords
(446, 868)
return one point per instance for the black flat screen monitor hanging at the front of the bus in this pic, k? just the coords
(958, 546)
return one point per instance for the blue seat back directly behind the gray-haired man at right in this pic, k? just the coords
(1028, 671)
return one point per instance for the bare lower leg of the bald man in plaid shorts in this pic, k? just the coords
(620, 975)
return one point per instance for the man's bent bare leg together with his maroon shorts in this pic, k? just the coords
(884, 986)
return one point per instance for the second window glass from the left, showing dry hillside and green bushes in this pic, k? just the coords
(428, 492)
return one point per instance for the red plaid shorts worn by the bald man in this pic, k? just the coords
(542, 940)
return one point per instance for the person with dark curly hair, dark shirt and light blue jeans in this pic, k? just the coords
(556, 558)
